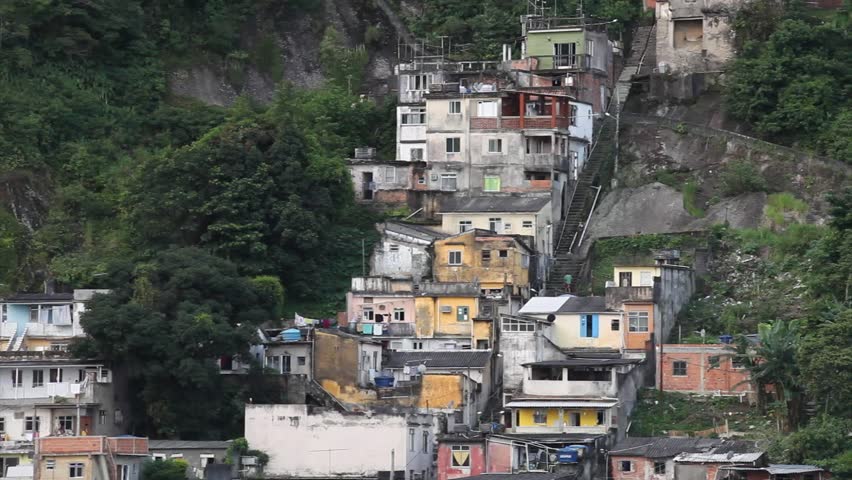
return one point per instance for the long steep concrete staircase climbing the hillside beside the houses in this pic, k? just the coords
(569, 258)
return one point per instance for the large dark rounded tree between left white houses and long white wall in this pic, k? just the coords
(166, 329)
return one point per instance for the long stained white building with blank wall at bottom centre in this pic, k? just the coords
(311, 442)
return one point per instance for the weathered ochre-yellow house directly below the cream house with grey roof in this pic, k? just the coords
(492, 260)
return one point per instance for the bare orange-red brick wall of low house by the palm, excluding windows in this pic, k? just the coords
(700, 377)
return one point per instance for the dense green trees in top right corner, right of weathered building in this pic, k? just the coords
(792, 79)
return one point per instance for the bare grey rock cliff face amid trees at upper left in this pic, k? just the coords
(296, 39)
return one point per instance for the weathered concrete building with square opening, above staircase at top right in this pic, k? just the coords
(694, 36)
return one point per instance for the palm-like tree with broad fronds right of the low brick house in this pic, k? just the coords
(774, 362)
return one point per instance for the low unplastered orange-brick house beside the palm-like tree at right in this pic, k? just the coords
(703, 369)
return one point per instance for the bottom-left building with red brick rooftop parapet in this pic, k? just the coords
(90, 458)
